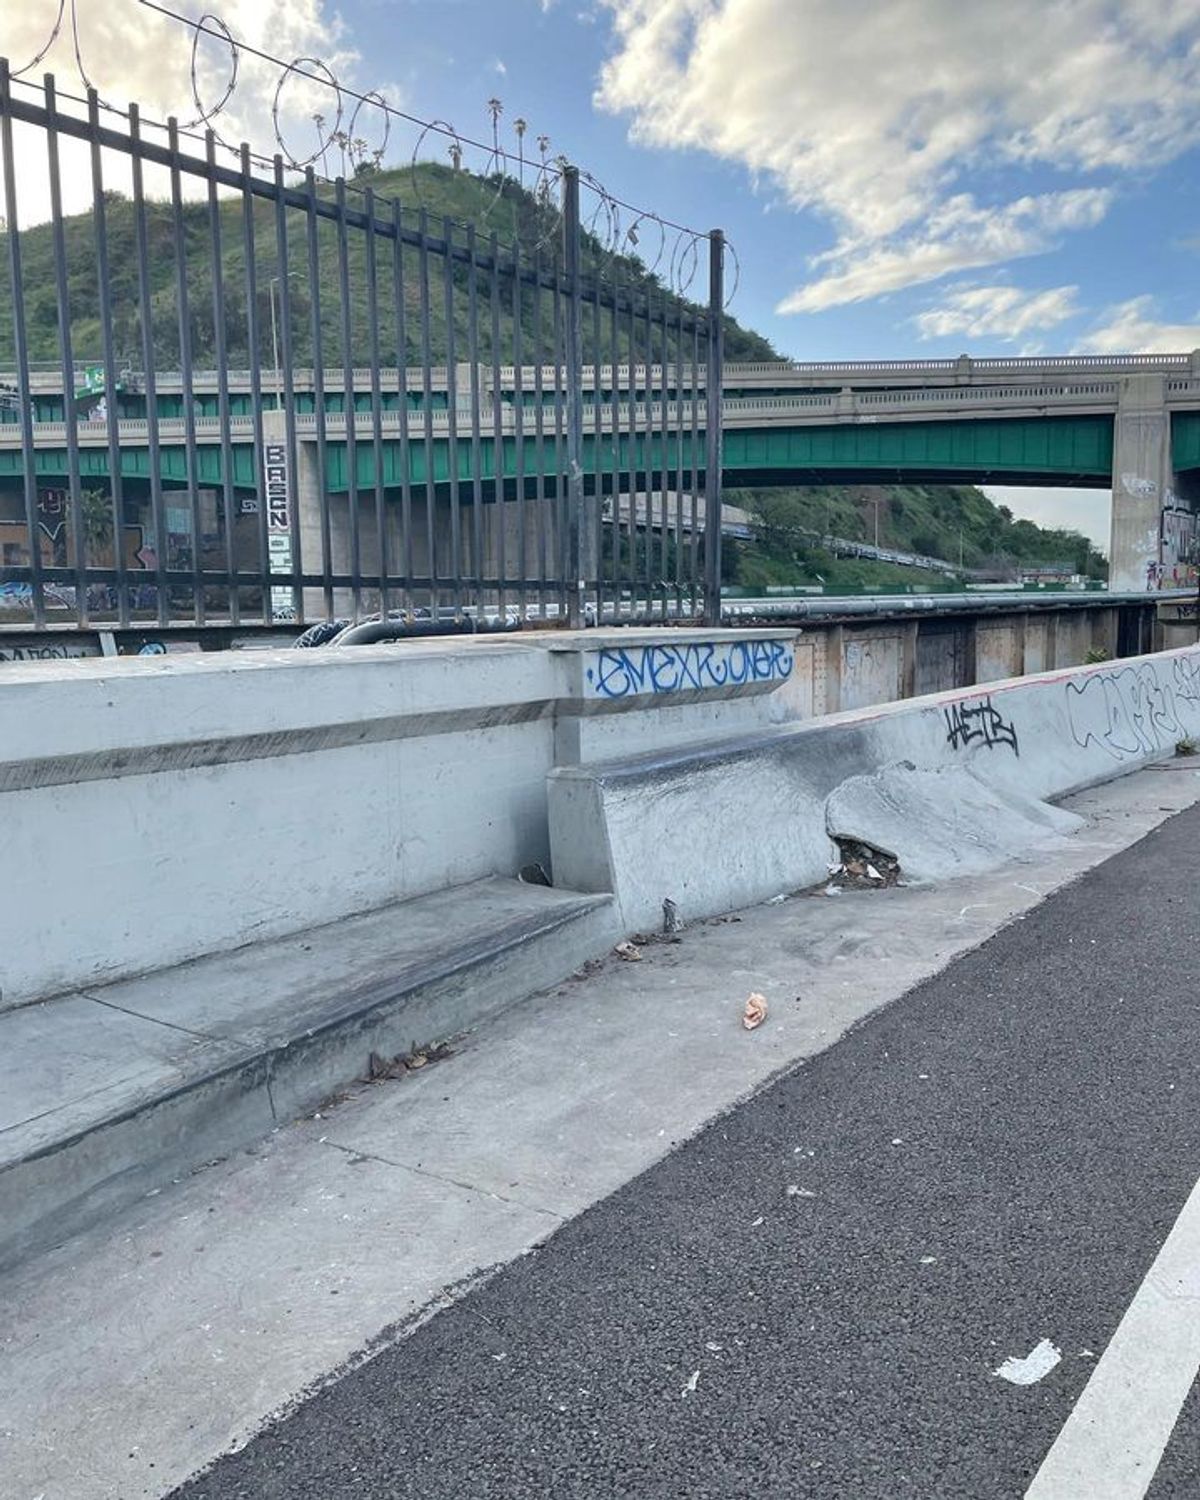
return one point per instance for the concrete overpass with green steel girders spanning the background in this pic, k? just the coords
(1129, 424)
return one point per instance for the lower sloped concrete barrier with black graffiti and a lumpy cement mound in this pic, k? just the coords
(949, 784)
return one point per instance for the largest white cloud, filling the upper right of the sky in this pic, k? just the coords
(872, 112)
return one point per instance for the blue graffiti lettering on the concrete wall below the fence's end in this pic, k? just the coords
(619, 673)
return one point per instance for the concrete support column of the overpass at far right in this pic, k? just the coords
(1142, 479)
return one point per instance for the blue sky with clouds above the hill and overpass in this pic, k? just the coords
(898, 178)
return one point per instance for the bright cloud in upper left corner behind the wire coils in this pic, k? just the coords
(134, 55)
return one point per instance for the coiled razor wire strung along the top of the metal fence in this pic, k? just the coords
(614, 226)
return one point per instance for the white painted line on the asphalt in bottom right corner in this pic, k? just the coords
(1114, 1441)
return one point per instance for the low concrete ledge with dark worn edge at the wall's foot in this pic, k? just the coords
(112, 1094)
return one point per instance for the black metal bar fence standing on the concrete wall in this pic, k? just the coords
(242, 395)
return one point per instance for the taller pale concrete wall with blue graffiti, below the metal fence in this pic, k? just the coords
(160, 809)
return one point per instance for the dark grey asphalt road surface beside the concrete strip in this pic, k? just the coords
(814, 1295)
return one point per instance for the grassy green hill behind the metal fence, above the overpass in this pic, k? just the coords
(496, 206)
